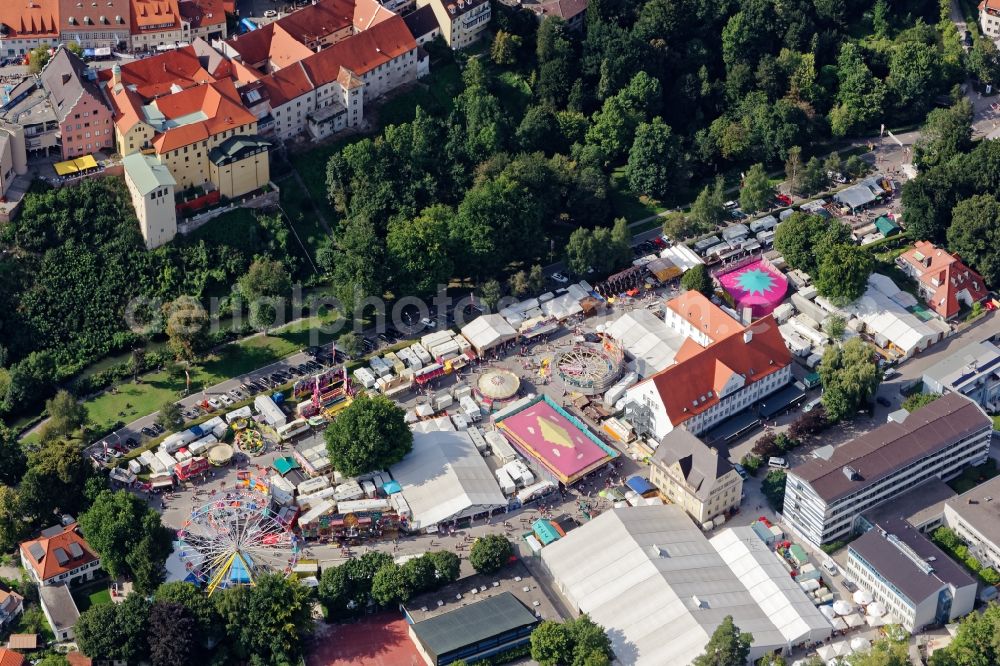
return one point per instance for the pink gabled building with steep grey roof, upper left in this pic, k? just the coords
(81, 109)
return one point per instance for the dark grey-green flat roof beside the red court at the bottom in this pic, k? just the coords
(473, 623)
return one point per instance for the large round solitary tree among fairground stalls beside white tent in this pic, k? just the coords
(369, 435)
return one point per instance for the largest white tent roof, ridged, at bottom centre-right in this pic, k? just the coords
(656, 584)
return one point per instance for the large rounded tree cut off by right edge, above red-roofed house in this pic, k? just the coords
(974, 233)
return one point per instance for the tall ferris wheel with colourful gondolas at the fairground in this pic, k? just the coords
(233, 540)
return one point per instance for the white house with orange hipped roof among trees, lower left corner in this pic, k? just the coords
(60, 554)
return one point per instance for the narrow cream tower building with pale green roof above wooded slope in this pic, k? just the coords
(151, 188)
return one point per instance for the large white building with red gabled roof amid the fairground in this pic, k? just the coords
(709, 384)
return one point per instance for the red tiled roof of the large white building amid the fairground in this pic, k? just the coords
(693, 383)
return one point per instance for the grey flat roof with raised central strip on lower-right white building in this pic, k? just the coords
(900, 570)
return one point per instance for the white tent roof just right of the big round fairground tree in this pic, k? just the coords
(444, 477)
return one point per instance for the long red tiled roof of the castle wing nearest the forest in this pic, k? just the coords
(362, 52)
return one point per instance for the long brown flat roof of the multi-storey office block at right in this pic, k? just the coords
(886, 449)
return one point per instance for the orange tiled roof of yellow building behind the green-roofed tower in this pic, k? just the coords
(218, 101)
